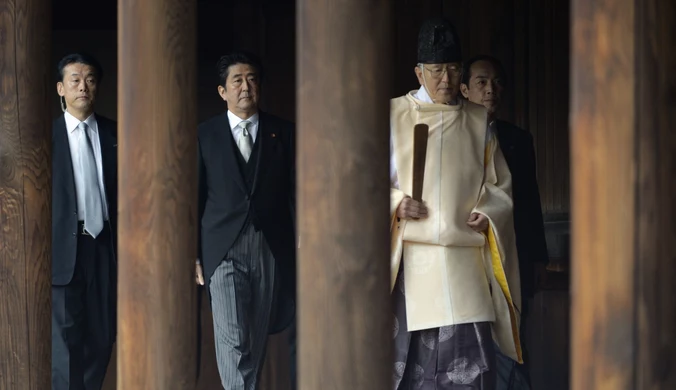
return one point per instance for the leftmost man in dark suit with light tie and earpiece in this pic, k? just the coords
(84, 207)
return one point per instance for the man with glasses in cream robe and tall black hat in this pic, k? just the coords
(455, 273)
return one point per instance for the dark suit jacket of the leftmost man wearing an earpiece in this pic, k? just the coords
(64, 201)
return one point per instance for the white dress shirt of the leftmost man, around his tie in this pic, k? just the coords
(72, 124)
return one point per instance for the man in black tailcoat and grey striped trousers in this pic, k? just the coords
(246, 211)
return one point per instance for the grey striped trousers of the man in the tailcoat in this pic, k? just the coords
(243, 292)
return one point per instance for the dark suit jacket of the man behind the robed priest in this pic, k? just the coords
(517, 146)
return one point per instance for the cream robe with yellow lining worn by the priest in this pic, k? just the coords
(455, 275)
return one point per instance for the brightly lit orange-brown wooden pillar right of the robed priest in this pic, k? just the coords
(603, 128)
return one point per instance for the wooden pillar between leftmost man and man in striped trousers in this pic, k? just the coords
(157, 194)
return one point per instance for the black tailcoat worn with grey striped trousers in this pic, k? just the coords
(225, 200)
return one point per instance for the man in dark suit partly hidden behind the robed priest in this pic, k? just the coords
(482, 83)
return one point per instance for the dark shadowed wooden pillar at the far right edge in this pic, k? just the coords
(656, 212)
